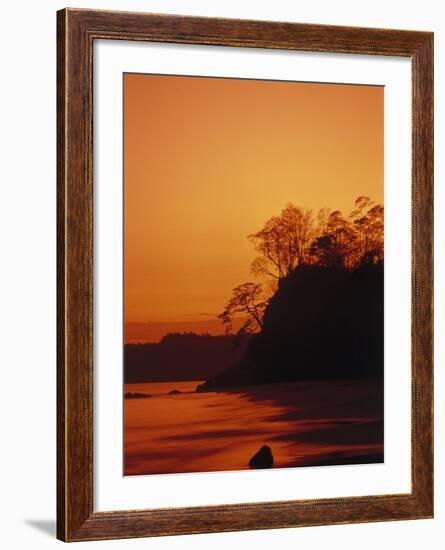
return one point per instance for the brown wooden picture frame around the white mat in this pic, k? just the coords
(76, 32)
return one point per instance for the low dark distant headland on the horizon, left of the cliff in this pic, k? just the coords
(182, 357)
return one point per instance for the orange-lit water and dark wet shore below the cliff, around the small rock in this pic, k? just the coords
(304, 424)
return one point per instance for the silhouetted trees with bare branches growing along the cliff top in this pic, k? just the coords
(294, 239)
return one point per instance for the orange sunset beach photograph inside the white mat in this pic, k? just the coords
(253, 248)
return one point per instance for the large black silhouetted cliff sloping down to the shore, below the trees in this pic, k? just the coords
(322, 323)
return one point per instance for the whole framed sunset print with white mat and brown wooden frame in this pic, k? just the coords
(244, 275)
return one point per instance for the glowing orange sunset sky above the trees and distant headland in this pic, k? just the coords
(209, 160)
